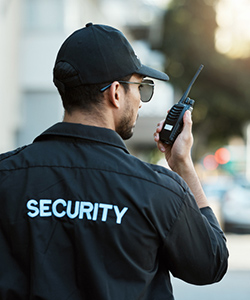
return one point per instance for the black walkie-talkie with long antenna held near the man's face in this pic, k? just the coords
(174, 121)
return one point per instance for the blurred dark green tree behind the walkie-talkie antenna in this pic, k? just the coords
(221, 91)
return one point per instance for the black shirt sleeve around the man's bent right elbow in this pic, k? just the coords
(195, 248)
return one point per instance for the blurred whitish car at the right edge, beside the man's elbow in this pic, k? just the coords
(235, 209)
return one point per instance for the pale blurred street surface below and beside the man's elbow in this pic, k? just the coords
(236, 283)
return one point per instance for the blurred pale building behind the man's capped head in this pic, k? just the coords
(32, 32)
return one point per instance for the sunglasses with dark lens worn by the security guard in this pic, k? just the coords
(146, 88)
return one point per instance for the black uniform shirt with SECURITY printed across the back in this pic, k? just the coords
(81, 218)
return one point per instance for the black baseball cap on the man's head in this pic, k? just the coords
(100, 54)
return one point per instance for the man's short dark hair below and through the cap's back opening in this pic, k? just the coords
(83, 97)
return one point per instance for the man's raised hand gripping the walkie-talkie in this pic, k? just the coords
(180, 152)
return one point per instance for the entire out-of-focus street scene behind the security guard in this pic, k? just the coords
(172, 36)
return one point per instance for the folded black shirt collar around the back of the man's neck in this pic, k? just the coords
(91, 133)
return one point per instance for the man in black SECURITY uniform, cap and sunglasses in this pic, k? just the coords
(80, 217)
